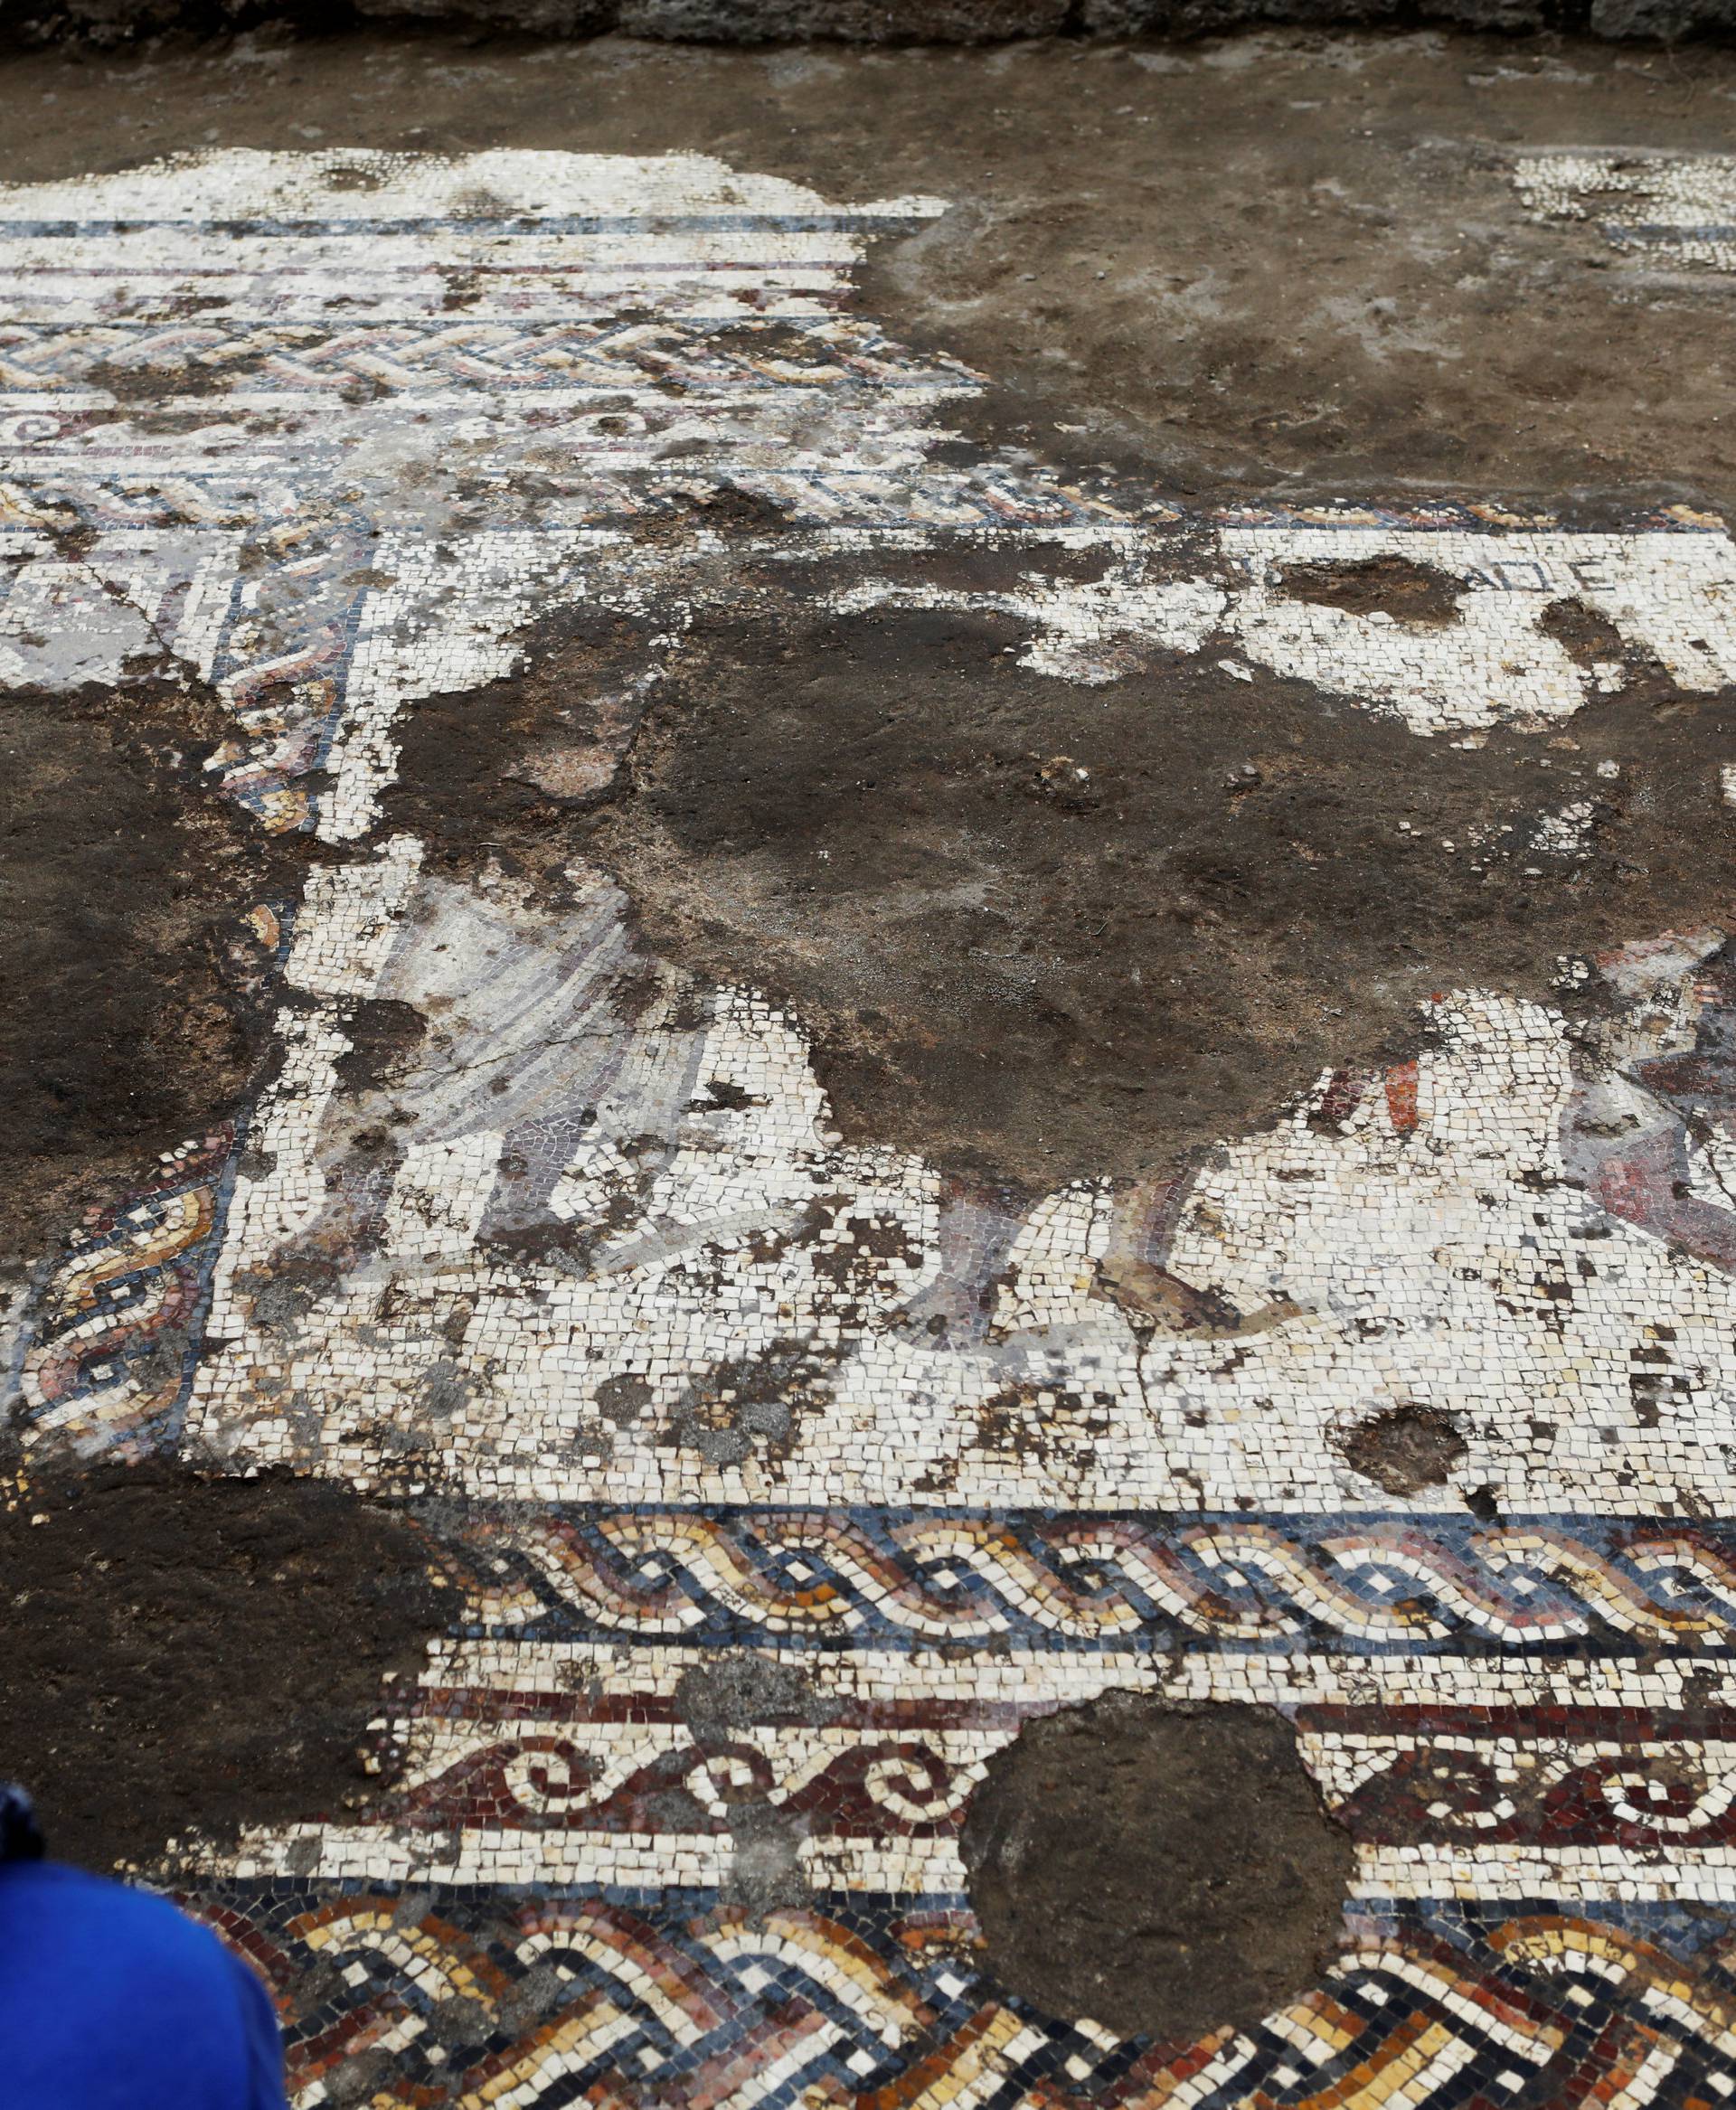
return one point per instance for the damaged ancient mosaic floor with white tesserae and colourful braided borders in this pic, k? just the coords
(788, 1474)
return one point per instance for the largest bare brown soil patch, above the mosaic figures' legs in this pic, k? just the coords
(1052, 932)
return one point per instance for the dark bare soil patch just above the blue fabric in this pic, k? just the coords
(199, 1653)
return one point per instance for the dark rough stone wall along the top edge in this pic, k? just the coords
(864, 22)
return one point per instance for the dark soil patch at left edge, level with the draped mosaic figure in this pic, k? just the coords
(132, 991)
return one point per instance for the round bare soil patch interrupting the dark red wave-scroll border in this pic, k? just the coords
(1159, 1871)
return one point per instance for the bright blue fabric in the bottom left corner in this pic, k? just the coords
(113, 1999)
